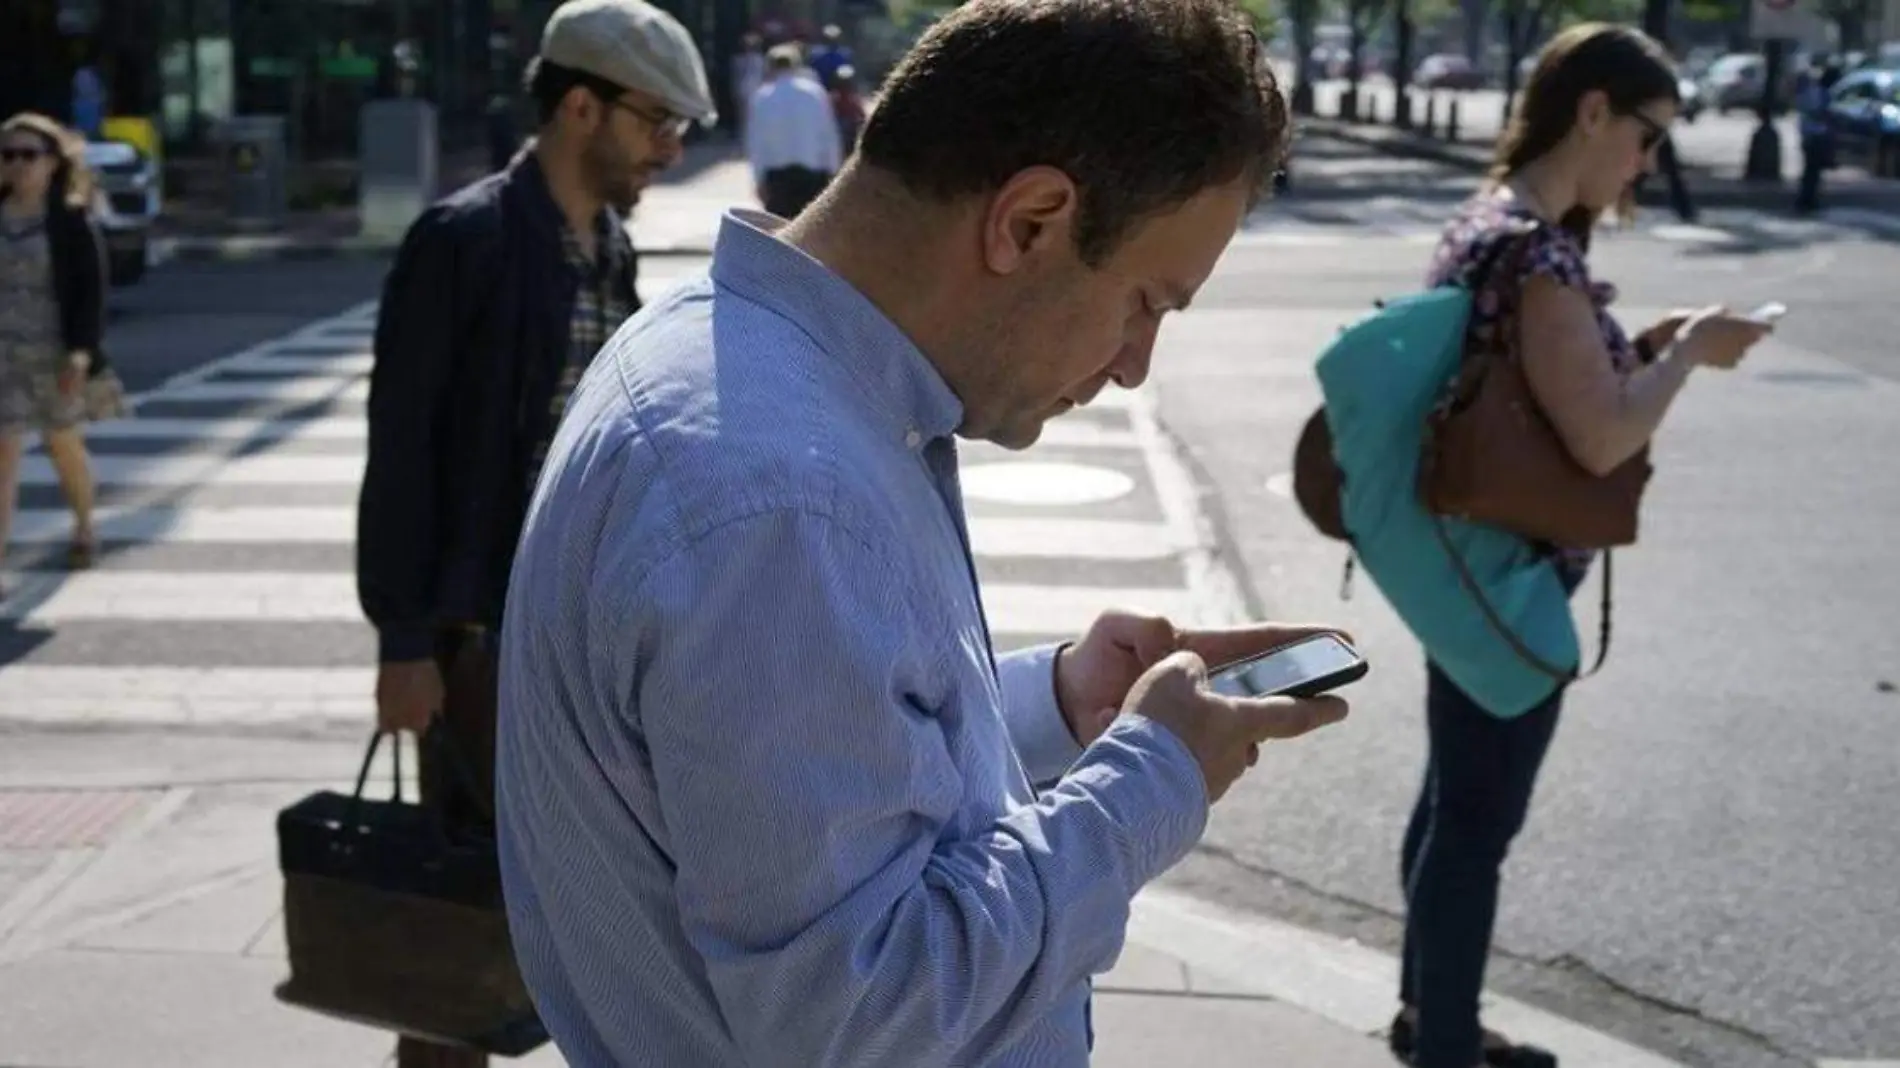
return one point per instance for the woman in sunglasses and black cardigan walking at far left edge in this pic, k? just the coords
(52, 315)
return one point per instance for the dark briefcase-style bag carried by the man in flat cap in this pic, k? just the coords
(394, 919)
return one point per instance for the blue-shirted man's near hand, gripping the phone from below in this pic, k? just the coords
(1225, 734)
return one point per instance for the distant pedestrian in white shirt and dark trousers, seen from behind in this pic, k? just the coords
(791, 136)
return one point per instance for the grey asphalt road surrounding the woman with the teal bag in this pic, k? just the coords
(1713, 866)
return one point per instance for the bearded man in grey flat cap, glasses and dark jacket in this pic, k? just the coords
(499, 299)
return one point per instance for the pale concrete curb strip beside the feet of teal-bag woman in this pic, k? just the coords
(1342, 982)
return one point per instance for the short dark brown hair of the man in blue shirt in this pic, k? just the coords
(1143, 104)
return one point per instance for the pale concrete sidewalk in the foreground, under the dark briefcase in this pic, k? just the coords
(140, 925)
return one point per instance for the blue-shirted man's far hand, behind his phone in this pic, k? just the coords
(1093, 676)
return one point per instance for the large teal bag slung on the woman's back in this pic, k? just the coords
(1487, 605)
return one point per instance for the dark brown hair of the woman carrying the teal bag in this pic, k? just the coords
(1624, 64)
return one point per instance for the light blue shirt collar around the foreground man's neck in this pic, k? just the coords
(753, 261)
